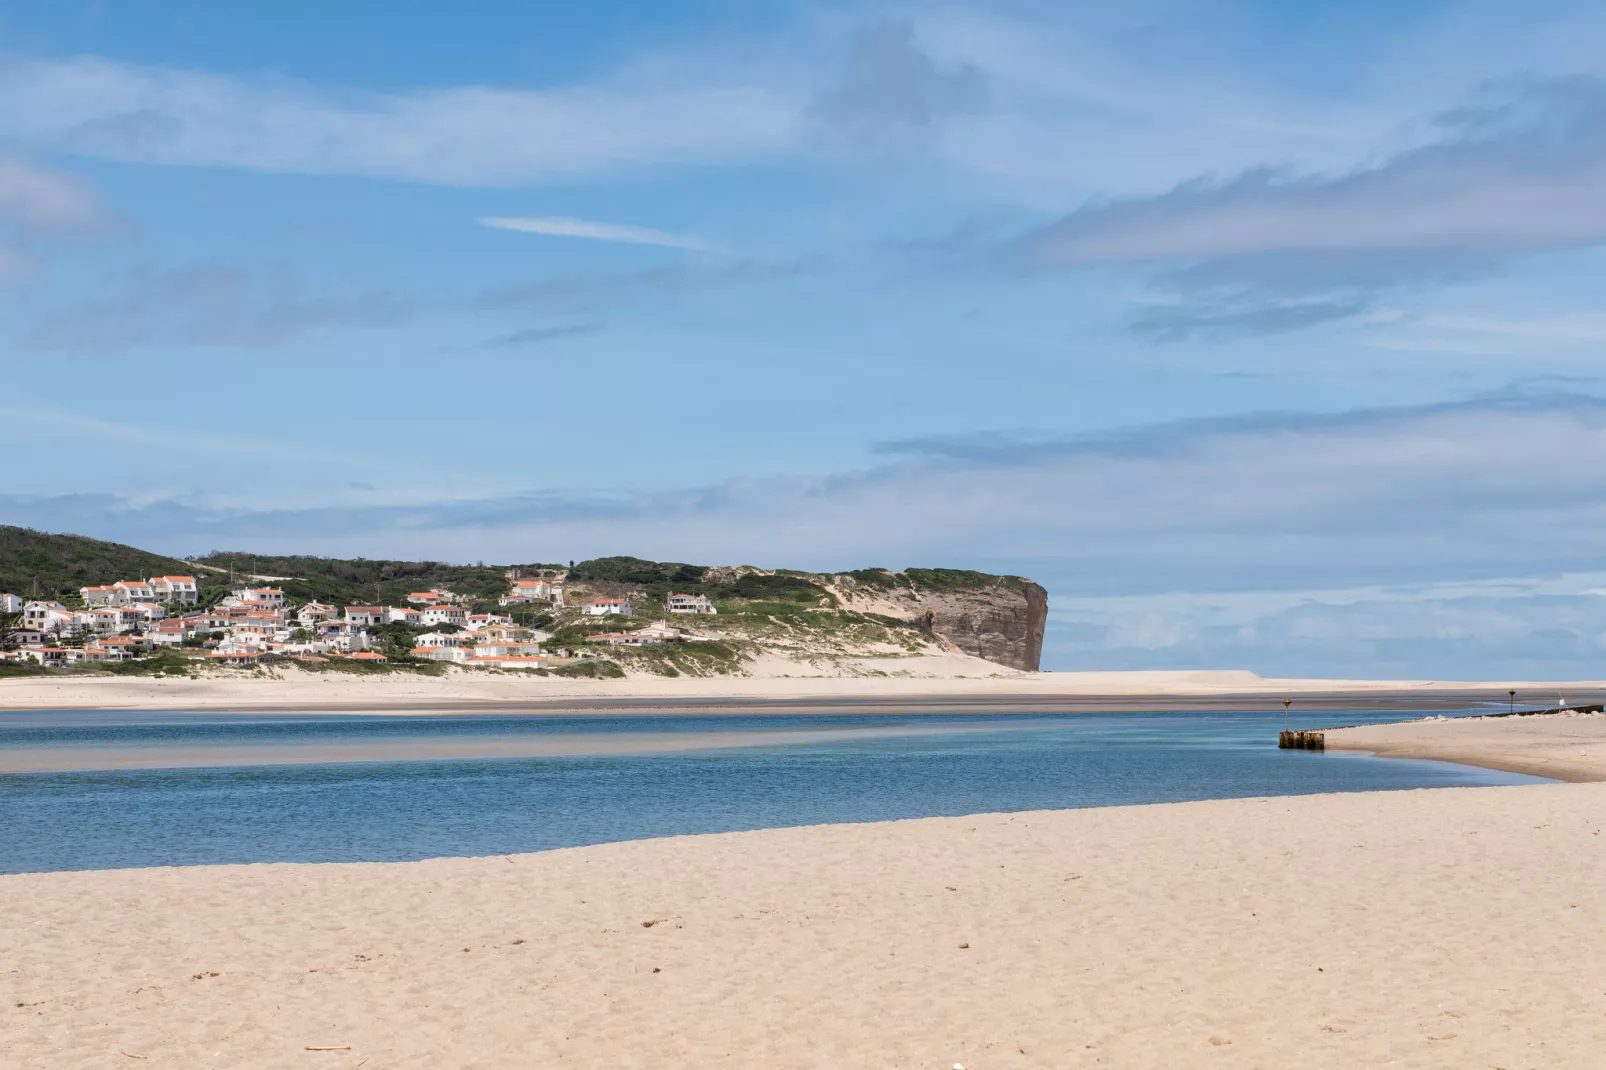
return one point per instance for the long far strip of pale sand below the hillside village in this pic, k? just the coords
(478, 690)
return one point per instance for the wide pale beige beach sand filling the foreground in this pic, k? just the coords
(1451, 928)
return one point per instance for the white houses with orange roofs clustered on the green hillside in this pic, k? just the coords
(253, 624)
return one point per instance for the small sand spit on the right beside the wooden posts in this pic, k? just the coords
(1560, 746)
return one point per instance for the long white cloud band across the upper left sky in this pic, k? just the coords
(471, 136)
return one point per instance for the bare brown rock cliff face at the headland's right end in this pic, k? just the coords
(995, 618)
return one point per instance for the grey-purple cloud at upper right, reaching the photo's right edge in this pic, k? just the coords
(1515, 173)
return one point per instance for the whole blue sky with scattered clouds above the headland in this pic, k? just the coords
(1265, 333)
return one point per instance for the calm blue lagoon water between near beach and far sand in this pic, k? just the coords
(423, 809)
